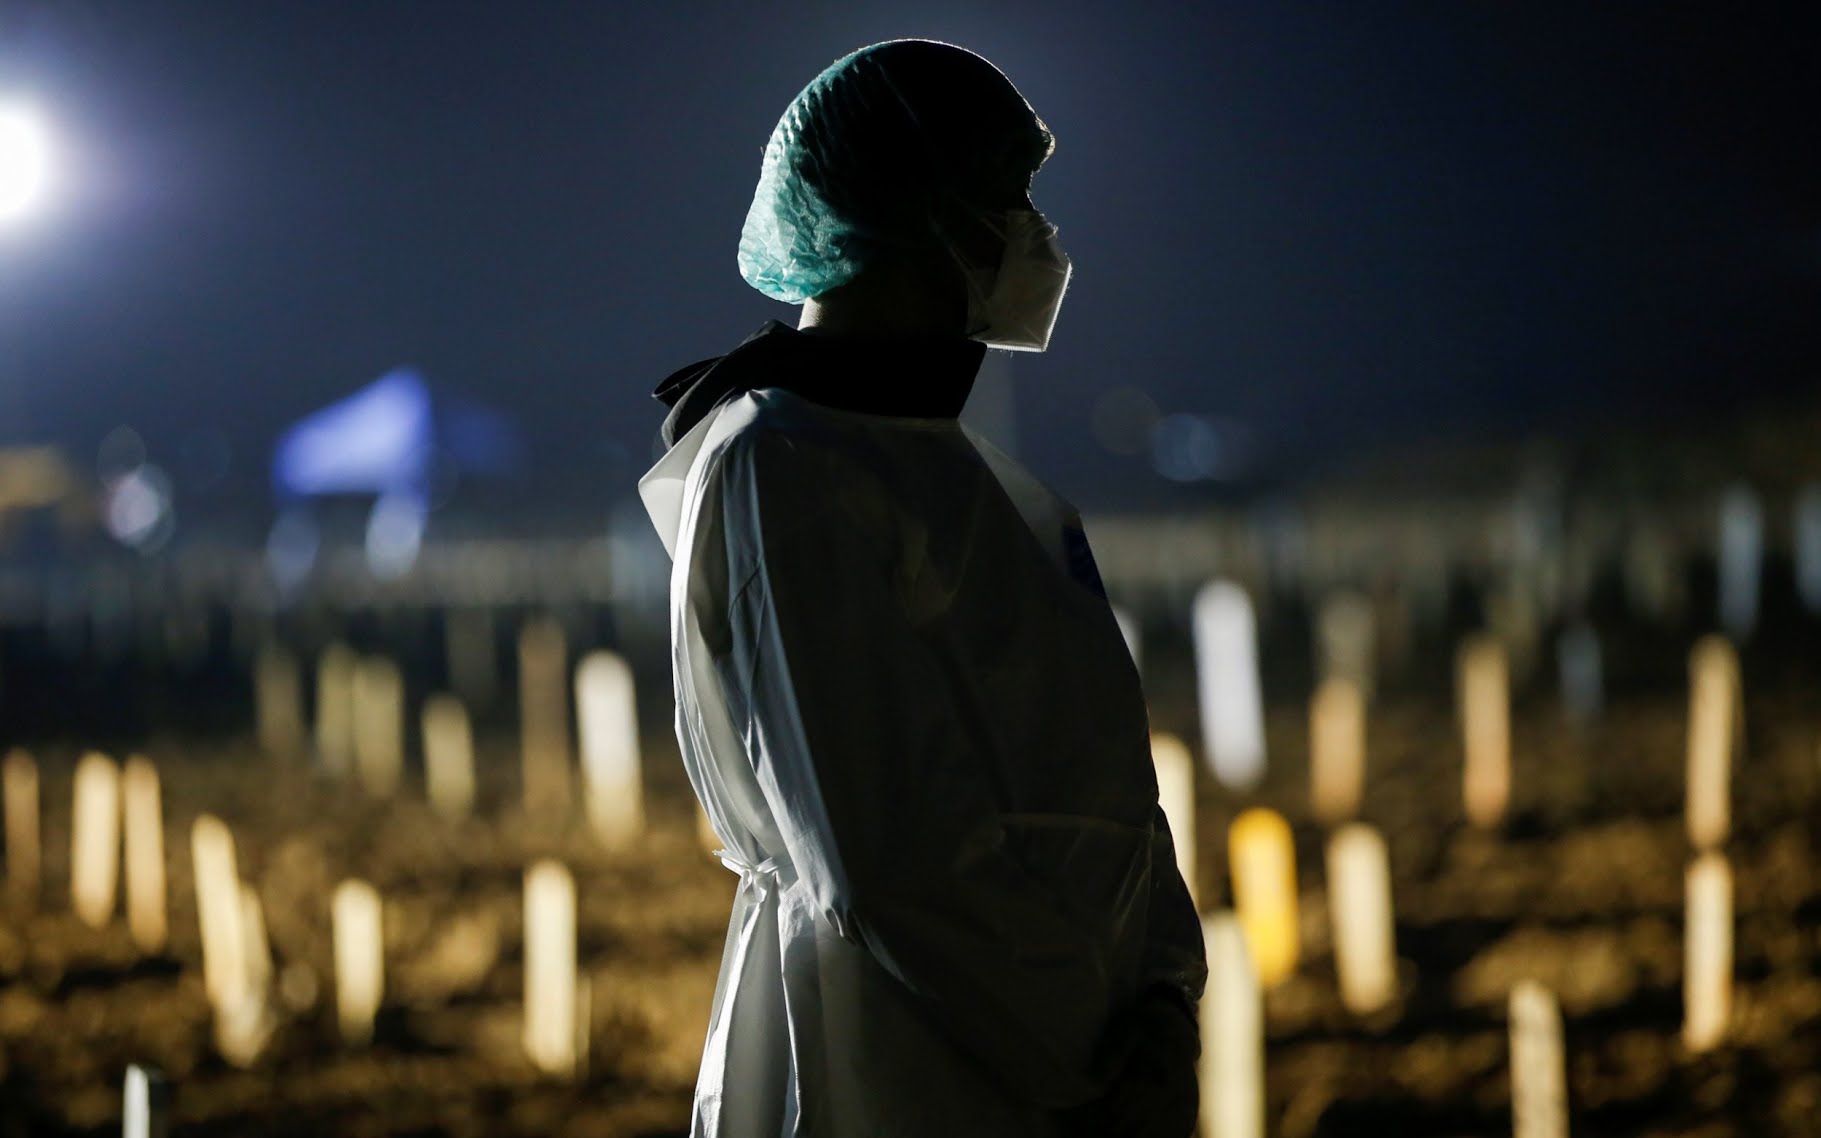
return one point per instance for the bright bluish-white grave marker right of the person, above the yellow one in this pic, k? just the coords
(1226, 662)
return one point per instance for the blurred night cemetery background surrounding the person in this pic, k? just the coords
(1416, 336)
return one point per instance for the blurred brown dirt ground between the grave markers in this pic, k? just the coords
(1583, 889)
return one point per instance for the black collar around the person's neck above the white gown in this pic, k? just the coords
(924, 378)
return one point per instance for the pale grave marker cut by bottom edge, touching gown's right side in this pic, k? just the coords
(1232, 1035)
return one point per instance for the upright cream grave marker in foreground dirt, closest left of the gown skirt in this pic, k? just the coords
(551, 970)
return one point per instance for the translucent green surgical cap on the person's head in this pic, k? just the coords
(875, 154)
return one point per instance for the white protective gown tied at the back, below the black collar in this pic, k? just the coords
(910, 713)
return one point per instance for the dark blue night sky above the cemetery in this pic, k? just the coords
(1347, 227)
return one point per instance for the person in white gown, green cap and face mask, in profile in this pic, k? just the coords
(902, 696)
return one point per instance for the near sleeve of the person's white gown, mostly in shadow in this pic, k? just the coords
(880, 798)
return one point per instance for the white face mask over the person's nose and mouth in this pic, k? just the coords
(1017, 305)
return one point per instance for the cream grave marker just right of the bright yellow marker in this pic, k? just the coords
(1359, 900)
